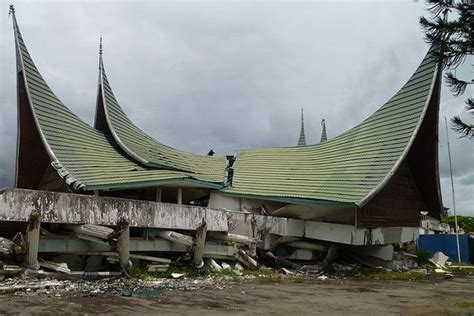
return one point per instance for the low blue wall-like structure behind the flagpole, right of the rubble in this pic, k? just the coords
(446, 243)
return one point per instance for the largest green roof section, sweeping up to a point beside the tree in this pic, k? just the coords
(348, 168)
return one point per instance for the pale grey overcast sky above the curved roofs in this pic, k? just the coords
(229, 75)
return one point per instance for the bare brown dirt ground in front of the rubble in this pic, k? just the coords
(298, 297)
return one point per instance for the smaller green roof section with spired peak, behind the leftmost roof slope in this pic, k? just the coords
(148, 151)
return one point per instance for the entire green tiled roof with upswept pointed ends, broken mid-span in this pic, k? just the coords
(347, 169)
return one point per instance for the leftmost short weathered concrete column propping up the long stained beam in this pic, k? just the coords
(32, 240)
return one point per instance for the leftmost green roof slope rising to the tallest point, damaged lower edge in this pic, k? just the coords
(85, 157)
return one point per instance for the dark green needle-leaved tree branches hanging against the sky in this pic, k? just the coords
(454, 39)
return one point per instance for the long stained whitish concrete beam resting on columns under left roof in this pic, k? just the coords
(16, 205)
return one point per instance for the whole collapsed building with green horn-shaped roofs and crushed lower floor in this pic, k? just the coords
(366, 186)
